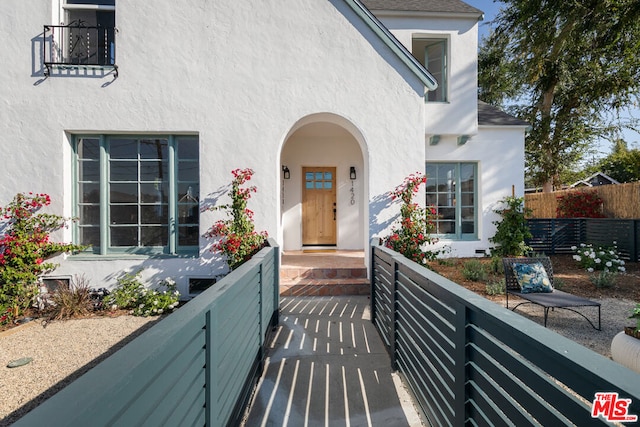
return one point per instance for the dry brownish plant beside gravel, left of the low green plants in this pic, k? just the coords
(73, 300)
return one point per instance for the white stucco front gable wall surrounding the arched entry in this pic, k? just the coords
(240, 75)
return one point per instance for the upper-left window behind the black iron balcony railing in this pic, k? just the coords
(89, 37)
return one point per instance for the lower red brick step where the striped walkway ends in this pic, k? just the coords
(325, 287)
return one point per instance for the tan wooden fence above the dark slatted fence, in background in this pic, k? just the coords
(619, 201)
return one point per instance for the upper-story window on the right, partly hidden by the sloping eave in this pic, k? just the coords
(432, 53)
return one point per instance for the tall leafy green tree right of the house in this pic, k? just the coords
(561, 66)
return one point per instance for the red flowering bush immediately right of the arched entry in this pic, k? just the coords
(416, 225)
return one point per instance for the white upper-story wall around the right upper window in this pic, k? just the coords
(458, 116)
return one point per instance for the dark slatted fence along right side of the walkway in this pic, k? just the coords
(469, 361)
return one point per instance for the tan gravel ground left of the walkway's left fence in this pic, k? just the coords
(61, 352)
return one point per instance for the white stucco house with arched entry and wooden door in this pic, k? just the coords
(131, 115)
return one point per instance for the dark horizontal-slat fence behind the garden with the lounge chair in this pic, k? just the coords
(559, 235)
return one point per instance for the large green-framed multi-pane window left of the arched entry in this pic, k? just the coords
(137, 194)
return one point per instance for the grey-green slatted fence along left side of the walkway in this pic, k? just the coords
(196, 367)
